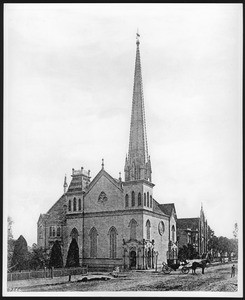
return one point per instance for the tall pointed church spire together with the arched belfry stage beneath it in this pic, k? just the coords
(137, 169)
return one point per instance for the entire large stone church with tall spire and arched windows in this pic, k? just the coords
(114, 222)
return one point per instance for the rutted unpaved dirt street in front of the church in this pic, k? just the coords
(216, 278)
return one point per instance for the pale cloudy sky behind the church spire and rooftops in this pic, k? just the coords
(68, 85)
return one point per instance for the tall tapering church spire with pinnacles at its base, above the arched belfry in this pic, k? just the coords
(137, 164)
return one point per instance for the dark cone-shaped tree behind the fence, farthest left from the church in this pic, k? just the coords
(20, 259)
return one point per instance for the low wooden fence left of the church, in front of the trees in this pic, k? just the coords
(47, 273)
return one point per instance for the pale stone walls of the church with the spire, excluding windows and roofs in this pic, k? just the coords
(132, 250)
